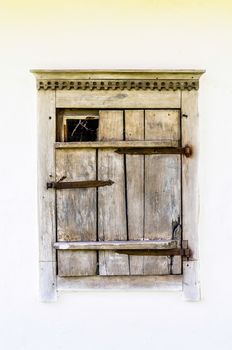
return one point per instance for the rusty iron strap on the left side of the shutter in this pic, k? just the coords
(79, 184)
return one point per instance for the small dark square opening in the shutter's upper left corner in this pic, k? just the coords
(81, 130)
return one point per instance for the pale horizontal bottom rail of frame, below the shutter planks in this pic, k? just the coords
(156, 283)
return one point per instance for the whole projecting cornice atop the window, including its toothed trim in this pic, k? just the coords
(117, 80)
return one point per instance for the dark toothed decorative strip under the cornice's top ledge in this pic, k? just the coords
(118, 84)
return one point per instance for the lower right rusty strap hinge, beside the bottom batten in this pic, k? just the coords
(184, 251)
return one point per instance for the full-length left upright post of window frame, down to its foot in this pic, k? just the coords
(46, 199)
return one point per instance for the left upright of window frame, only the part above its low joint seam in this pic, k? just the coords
(46, 172)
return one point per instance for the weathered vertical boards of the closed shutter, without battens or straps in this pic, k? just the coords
(143, 203)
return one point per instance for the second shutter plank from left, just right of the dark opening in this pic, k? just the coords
(111, 199)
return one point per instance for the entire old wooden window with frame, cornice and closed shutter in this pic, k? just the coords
(118, 181)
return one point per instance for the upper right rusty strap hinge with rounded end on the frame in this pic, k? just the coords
(186, 150)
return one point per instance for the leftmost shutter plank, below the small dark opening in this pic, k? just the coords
(76, 211)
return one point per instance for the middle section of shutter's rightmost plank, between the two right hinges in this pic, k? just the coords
(162, 195)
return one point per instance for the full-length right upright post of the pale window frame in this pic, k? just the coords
(190, 121)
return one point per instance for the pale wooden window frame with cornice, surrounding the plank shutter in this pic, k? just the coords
(112, 90)
